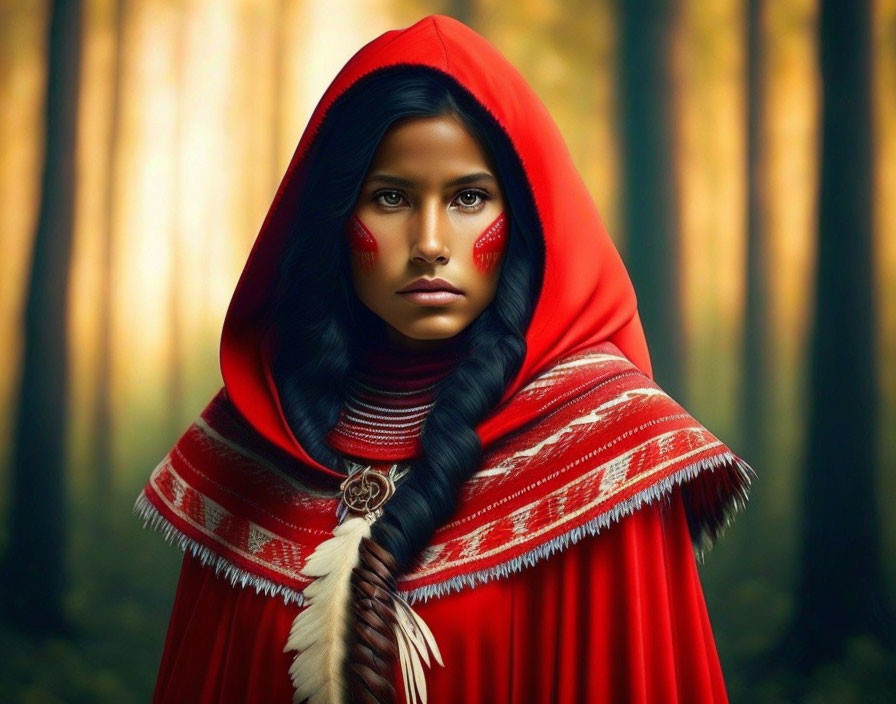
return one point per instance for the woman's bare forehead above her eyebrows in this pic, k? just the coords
(429, 145)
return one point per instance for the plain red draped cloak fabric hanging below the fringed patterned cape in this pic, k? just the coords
(616, 618)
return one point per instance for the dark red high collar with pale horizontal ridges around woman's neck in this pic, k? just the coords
(389, 397)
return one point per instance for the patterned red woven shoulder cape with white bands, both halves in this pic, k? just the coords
(612, 438)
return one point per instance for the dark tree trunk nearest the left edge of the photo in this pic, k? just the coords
(33, 566)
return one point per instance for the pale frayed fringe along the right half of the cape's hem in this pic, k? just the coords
(663, 489)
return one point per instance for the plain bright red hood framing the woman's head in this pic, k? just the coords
(586, 298)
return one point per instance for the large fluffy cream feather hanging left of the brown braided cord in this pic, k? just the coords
(319, 631)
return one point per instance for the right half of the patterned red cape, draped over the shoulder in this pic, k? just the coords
(601, 441)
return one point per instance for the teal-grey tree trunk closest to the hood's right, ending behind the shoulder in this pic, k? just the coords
(650, 194)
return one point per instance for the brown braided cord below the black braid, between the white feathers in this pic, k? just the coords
(372, 649)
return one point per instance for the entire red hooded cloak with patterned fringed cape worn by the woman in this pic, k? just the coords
(567, 573)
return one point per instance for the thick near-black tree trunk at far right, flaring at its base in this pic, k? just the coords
(840, 591)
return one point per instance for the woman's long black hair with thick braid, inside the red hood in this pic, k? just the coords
(319, 322)
